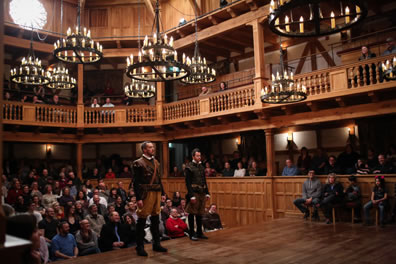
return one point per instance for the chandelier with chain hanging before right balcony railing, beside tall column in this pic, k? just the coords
(283, 89)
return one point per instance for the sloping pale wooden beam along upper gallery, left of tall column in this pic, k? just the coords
(223, 27)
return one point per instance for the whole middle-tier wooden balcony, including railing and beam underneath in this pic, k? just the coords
(348, 86)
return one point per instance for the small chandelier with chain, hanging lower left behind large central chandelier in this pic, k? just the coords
(139, 88)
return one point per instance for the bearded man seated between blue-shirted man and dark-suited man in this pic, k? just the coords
(87, 240)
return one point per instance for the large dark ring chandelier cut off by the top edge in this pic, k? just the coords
(315, 18)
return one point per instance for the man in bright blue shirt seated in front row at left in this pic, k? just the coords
(64, 245)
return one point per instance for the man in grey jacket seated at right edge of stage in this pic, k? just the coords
(311, 193)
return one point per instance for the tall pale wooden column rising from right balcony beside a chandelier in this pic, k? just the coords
(259, 65)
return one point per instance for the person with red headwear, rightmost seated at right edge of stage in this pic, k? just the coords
(379, 198)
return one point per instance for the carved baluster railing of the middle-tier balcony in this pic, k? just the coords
(358, 77)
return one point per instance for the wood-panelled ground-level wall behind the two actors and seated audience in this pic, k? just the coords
(248, 200)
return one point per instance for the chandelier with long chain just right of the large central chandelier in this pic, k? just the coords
(200, 71)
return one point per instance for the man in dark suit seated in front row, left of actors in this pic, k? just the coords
(112, 235)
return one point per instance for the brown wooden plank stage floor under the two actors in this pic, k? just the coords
(288, 240)
